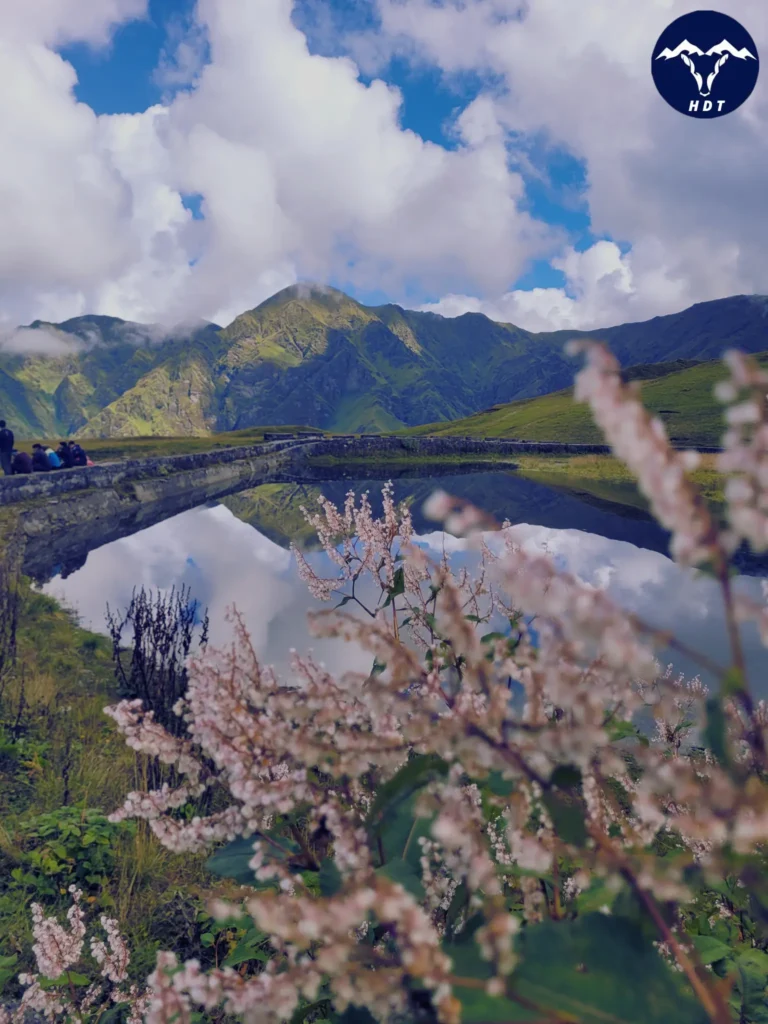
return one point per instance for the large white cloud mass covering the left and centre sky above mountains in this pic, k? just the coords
(305, 170)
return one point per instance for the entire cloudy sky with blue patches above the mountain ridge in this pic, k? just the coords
(169, 160)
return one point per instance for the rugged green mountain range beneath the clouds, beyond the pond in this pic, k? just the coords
(313, 355)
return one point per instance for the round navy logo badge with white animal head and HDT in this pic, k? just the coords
(705, 64)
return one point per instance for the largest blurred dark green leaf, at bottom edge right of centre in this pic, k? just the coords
(602, 969)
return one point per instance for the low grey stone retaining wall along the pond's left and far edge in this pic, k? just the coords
(64, 515)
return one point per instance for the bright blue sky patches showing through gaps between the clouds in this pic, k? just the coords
(122, 79)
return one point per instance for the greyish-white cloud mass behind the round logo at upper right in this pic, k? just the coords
(689, 196)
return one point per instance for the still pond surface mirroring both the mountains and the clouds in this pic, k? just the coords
(236, 553)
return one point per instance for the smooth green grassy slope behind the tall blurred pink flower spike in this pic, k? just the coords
(684, 399)
